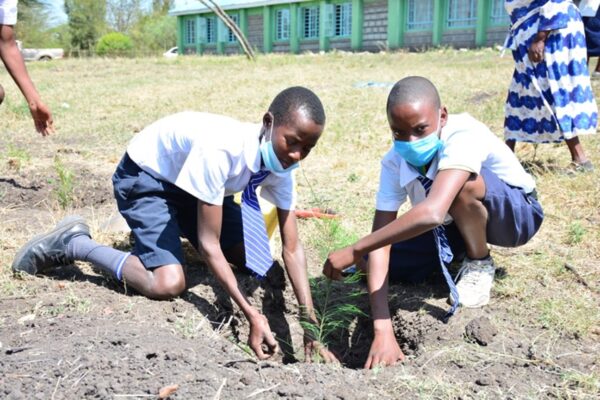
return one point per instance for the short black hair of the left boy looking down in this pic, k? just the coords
(297, 98)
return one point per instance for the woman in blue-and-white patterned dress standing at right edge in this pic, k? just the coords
(550, 98)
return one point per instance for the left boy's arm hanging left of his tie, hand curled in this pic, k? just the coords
(209, 231)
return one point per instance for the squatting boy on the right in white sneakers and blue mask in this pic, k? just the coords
(467, 189)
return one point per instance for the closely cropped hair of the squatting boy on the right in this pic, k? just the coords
(413, 89)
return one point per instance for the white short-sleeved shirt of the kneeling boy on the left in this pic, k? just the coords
(209, 156)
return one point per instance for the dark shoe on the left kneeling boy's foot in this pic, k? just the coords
(49, 249)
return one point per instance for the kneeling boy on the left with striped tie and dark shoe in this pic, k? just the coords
(178, 178)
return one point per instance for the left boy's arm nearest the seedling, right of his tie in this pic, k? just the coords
(295, 265)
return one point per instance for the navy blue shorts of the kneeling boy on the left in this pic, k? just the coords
(159, 214)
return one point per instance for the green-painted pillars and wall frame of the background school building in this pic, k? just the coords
(396, 36)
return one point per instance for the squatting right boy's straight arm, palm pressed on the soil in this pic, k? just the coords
(384, 348)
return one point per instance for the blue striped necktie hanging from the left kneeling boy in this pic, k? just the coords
(256, 240)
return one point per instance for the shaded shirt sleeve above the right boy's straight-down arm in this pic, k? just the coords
(391, 195)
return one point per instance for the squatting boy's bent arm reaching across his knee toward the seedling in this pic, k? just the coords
(421, 218)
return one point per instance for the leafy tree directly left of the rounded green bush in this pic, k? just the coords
(86, 22)
